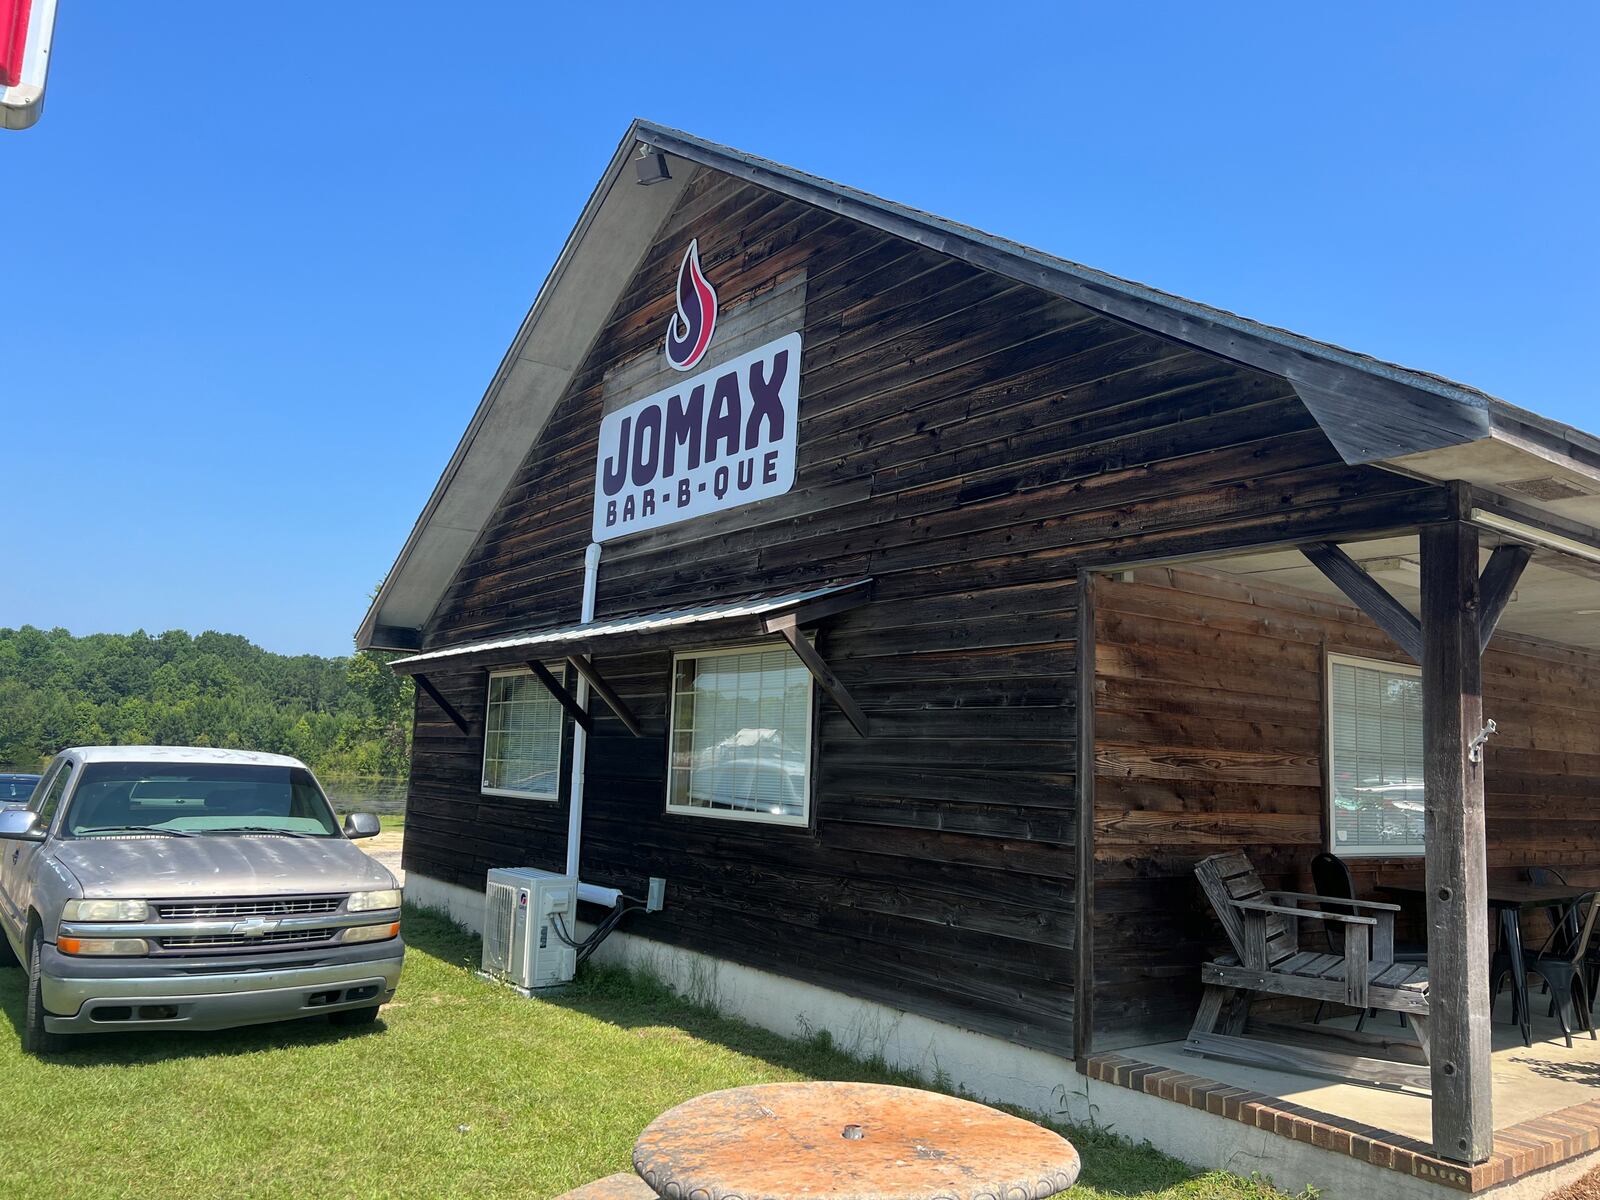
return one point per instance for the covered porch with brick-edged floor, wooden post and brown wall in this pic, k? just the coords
(1226, 714)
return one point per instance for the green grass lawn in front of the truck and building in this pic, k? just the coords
(463, 1090)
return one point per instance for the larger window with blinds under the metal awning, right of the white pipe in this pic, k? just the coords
(742, 735)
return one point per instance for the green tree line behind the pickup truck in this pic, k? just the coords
(342, 716)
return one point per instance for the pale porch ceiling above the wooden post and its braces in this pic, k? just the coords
(1556, 601)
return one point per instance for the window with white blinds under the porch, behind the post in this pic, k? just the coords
(1375, 758)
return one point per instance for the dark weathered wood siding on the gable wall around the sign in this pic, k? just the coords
(967, 442)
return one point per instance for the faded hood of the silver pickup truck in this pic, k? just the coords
(159, 868)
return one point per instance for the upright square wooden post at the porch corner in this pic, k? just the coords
(1458, 950)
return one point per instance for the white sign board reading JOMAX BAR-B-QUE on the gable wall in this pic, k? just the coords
(711, 442)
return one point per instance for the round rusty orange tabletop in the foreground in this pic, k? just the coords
(849, 1142)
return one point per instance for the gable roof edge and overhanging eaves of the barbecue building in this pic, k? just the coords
(1372, 410)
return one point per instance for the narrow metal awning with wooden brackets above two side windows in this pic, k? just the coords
(754, 617)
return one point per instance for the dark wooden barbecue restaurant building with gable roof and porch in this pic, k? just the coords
(953, 602)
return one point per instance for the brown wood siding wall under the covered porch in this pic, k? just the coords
(1210, 737)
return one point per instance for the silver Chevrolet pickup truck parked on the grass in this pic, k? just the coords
(150, 887)
